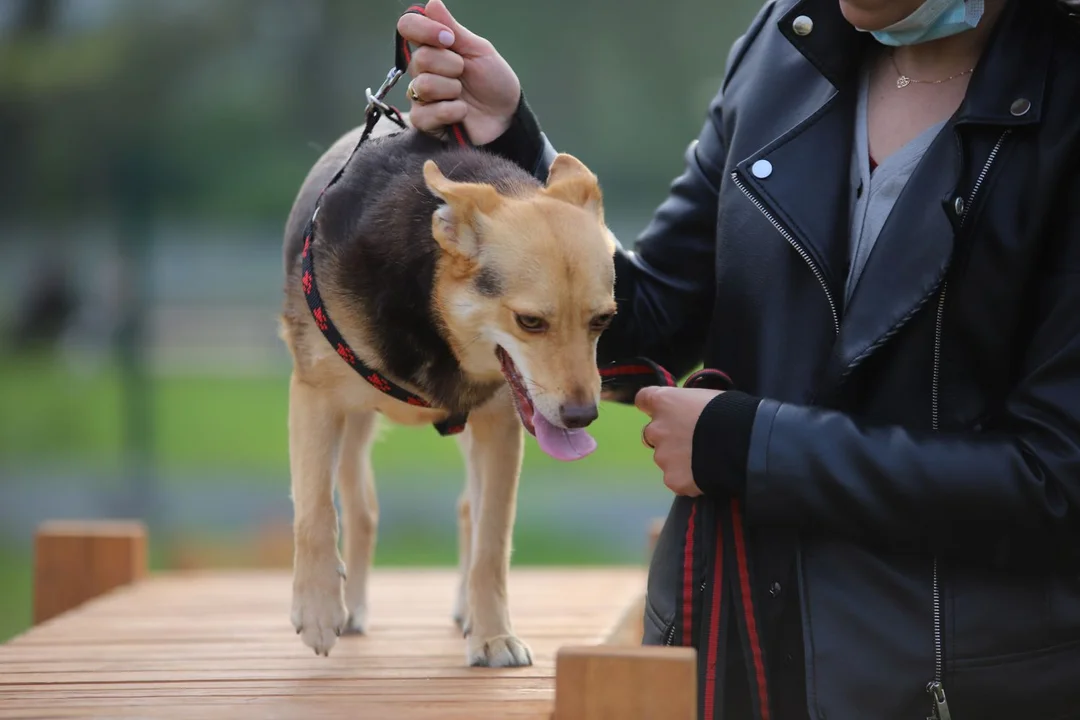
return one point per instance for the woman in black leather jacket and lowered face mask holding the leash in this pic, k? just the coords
(877, 237)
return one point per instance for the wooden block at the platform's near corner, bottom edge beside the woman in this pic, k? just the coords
(602, 683)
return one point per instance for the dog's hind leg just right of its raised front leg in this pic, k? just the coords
(360, 512)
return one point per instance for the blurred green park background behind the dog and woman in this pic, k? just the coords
(150, 154)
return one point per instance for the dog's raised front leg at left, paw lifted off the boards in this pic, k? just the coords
(315, 430)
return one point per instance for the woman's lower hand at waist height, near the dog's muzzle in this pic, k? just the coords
(673, 414)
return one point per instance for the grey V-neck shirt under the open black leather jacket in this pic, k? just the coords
(875, 194)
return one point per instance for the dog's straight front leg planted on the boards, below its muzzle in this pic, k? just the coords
(496, 450)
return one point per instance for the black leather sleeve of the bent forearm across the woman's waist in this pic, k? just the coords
(1016, 483)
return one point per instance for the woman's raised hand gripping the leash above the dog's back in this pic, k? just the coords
(458, 77)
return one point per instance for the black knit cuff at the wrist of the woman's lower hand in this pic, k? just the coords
(722, 444)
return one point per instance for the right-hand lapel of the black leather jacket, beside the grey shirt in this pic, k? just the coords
(914, 249)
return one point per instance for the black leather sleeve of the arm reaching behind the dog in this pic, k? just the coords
(666, 282)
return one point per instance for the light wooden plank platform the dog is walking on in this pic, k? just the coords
(220, 645)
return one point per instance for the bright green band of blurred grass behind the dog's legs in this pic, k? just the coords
(53, 415)
